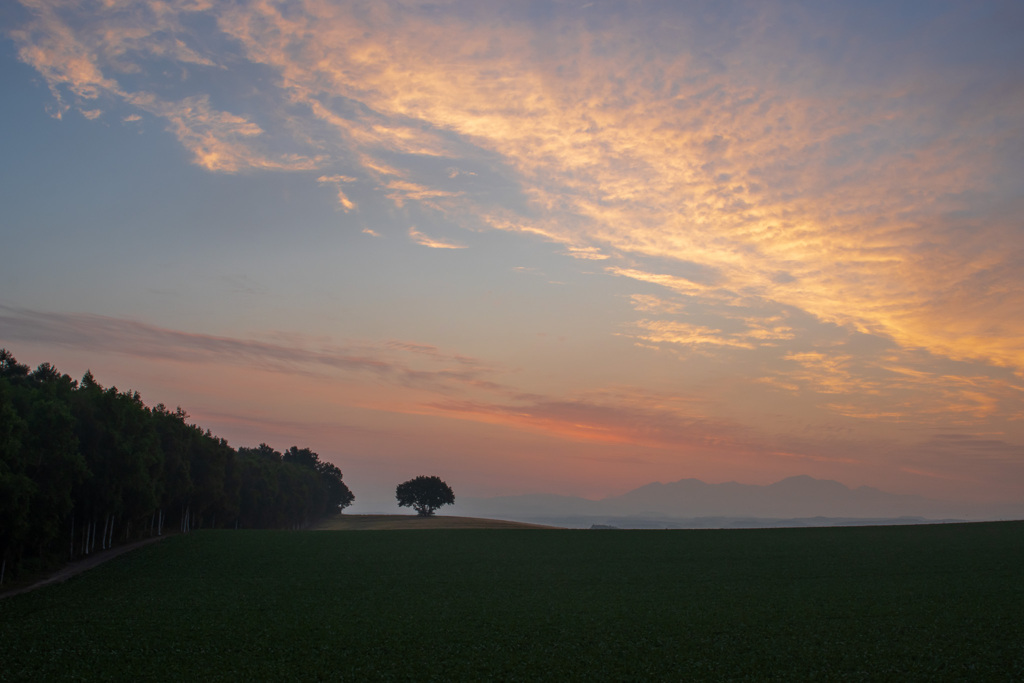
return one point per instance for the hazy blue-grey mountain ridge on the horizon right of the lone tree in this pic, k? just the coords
(797, 501)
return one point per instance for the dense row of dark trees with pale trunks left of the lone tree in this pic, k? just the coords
(82, 466)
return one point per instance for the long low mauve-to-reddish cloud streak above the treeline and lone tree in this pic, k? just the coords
(454, 382)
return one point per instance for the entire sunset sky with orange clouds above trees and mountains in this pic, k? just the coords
(534, 247)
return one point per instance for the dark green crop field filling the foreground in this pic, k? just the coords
(943, 603)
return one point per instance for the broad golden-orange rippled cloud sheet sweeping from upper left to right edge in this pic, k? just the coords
(867, 205)
